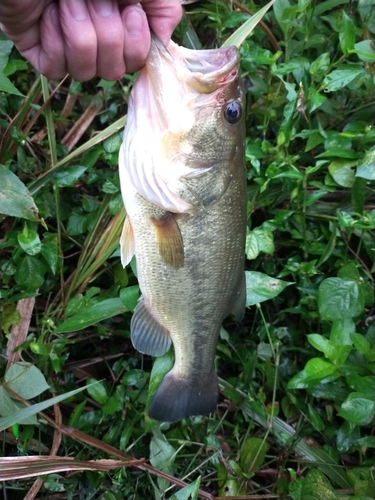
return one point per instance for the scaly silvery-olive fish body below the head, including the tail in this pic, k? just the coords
(188, 302)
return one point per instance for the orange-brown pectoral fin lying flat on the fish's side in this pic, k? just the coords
(169, 238)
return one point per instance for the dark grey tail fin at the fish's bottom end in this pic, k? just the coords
(177, 398)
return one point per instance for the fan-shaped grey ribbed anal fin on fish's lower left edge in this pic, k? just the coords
(147, 335)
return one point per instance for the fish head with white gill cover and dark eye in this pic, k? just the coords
(185, 126)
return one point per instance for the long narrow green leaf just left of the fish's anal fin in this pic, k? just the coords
(91, 315)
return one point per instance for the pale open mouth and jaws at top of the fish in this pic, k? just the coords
(202, 70)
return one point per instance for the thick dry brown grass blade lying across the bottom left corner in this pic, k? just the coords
(12, 468)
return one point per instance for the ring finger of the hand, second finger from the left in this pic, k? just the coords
(80, 40)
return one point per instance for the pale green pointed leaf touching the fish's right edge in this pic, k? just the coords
(260, 287)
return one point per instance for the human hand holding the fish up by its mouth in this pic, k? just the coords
(87, 37)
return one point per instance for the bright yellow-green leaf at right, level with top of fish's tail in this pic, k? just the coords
(316, 371)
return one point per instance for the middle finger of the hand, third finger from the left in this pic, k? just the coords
(107, 21)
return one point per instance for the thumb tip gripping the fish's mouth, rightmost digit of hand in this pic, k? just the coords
(163, 16)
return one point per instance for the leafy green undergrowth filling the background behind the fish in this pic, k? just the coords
(296, 412)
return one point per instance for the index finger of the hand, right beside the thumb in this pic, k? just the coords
(137, 37)
